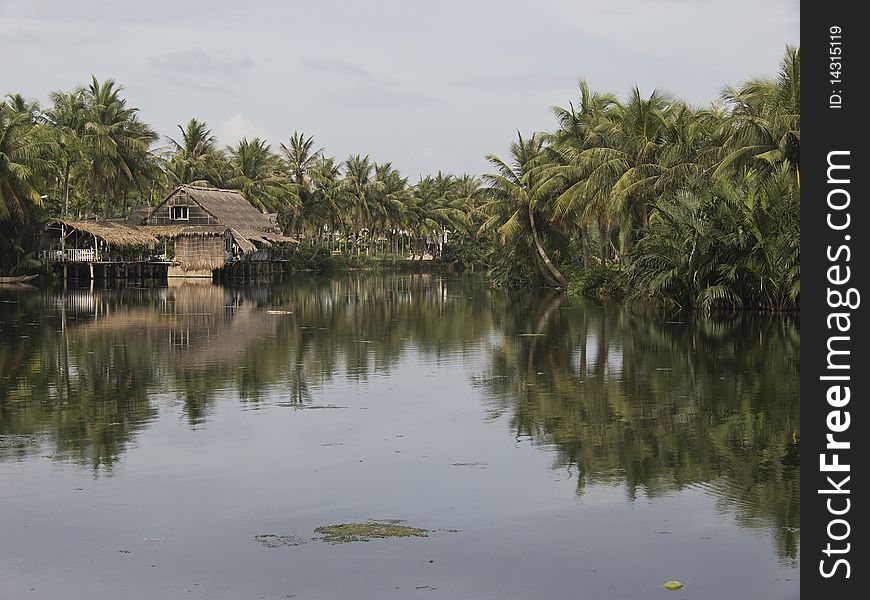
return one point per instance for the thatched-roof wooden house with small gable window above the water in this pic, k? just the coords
(211, 227)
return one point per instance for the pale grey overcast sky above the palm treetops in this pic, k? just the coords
(425, 85)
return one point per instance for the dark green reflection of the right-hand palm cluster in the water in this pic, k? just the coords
(659, 403)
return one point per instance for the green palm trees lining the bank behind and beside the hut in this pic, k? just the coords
(644, 196)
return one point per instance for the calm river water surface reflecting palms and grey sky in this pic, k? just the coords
(150, 438)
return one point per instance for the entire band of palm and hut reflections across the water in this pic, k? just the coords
(659, 403)
